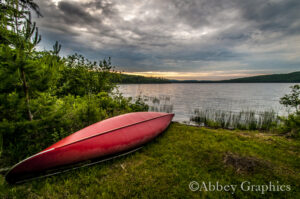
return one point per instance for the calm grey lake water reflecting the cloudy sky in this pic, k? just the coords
(183, 99)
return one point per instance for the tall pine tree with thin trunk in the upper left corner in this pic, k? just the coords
(19, 36)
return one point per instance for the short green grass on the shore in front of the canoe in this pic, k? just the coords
(165, 167)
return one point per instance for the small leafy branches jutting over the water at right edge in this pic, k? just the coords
(293, 99)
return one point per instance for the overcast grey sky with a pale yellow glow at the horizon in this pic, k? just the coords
(178, 39)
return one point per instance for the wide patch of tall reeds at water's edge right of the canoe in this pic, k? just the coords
(246, 120)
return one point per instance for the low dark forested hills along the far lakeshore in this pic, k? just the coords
(275, 78)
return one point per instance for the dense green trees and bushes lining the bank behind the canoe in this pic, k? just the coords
(43, 96)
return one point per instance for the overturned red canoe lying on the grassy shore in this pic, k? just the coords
(106, 138)
